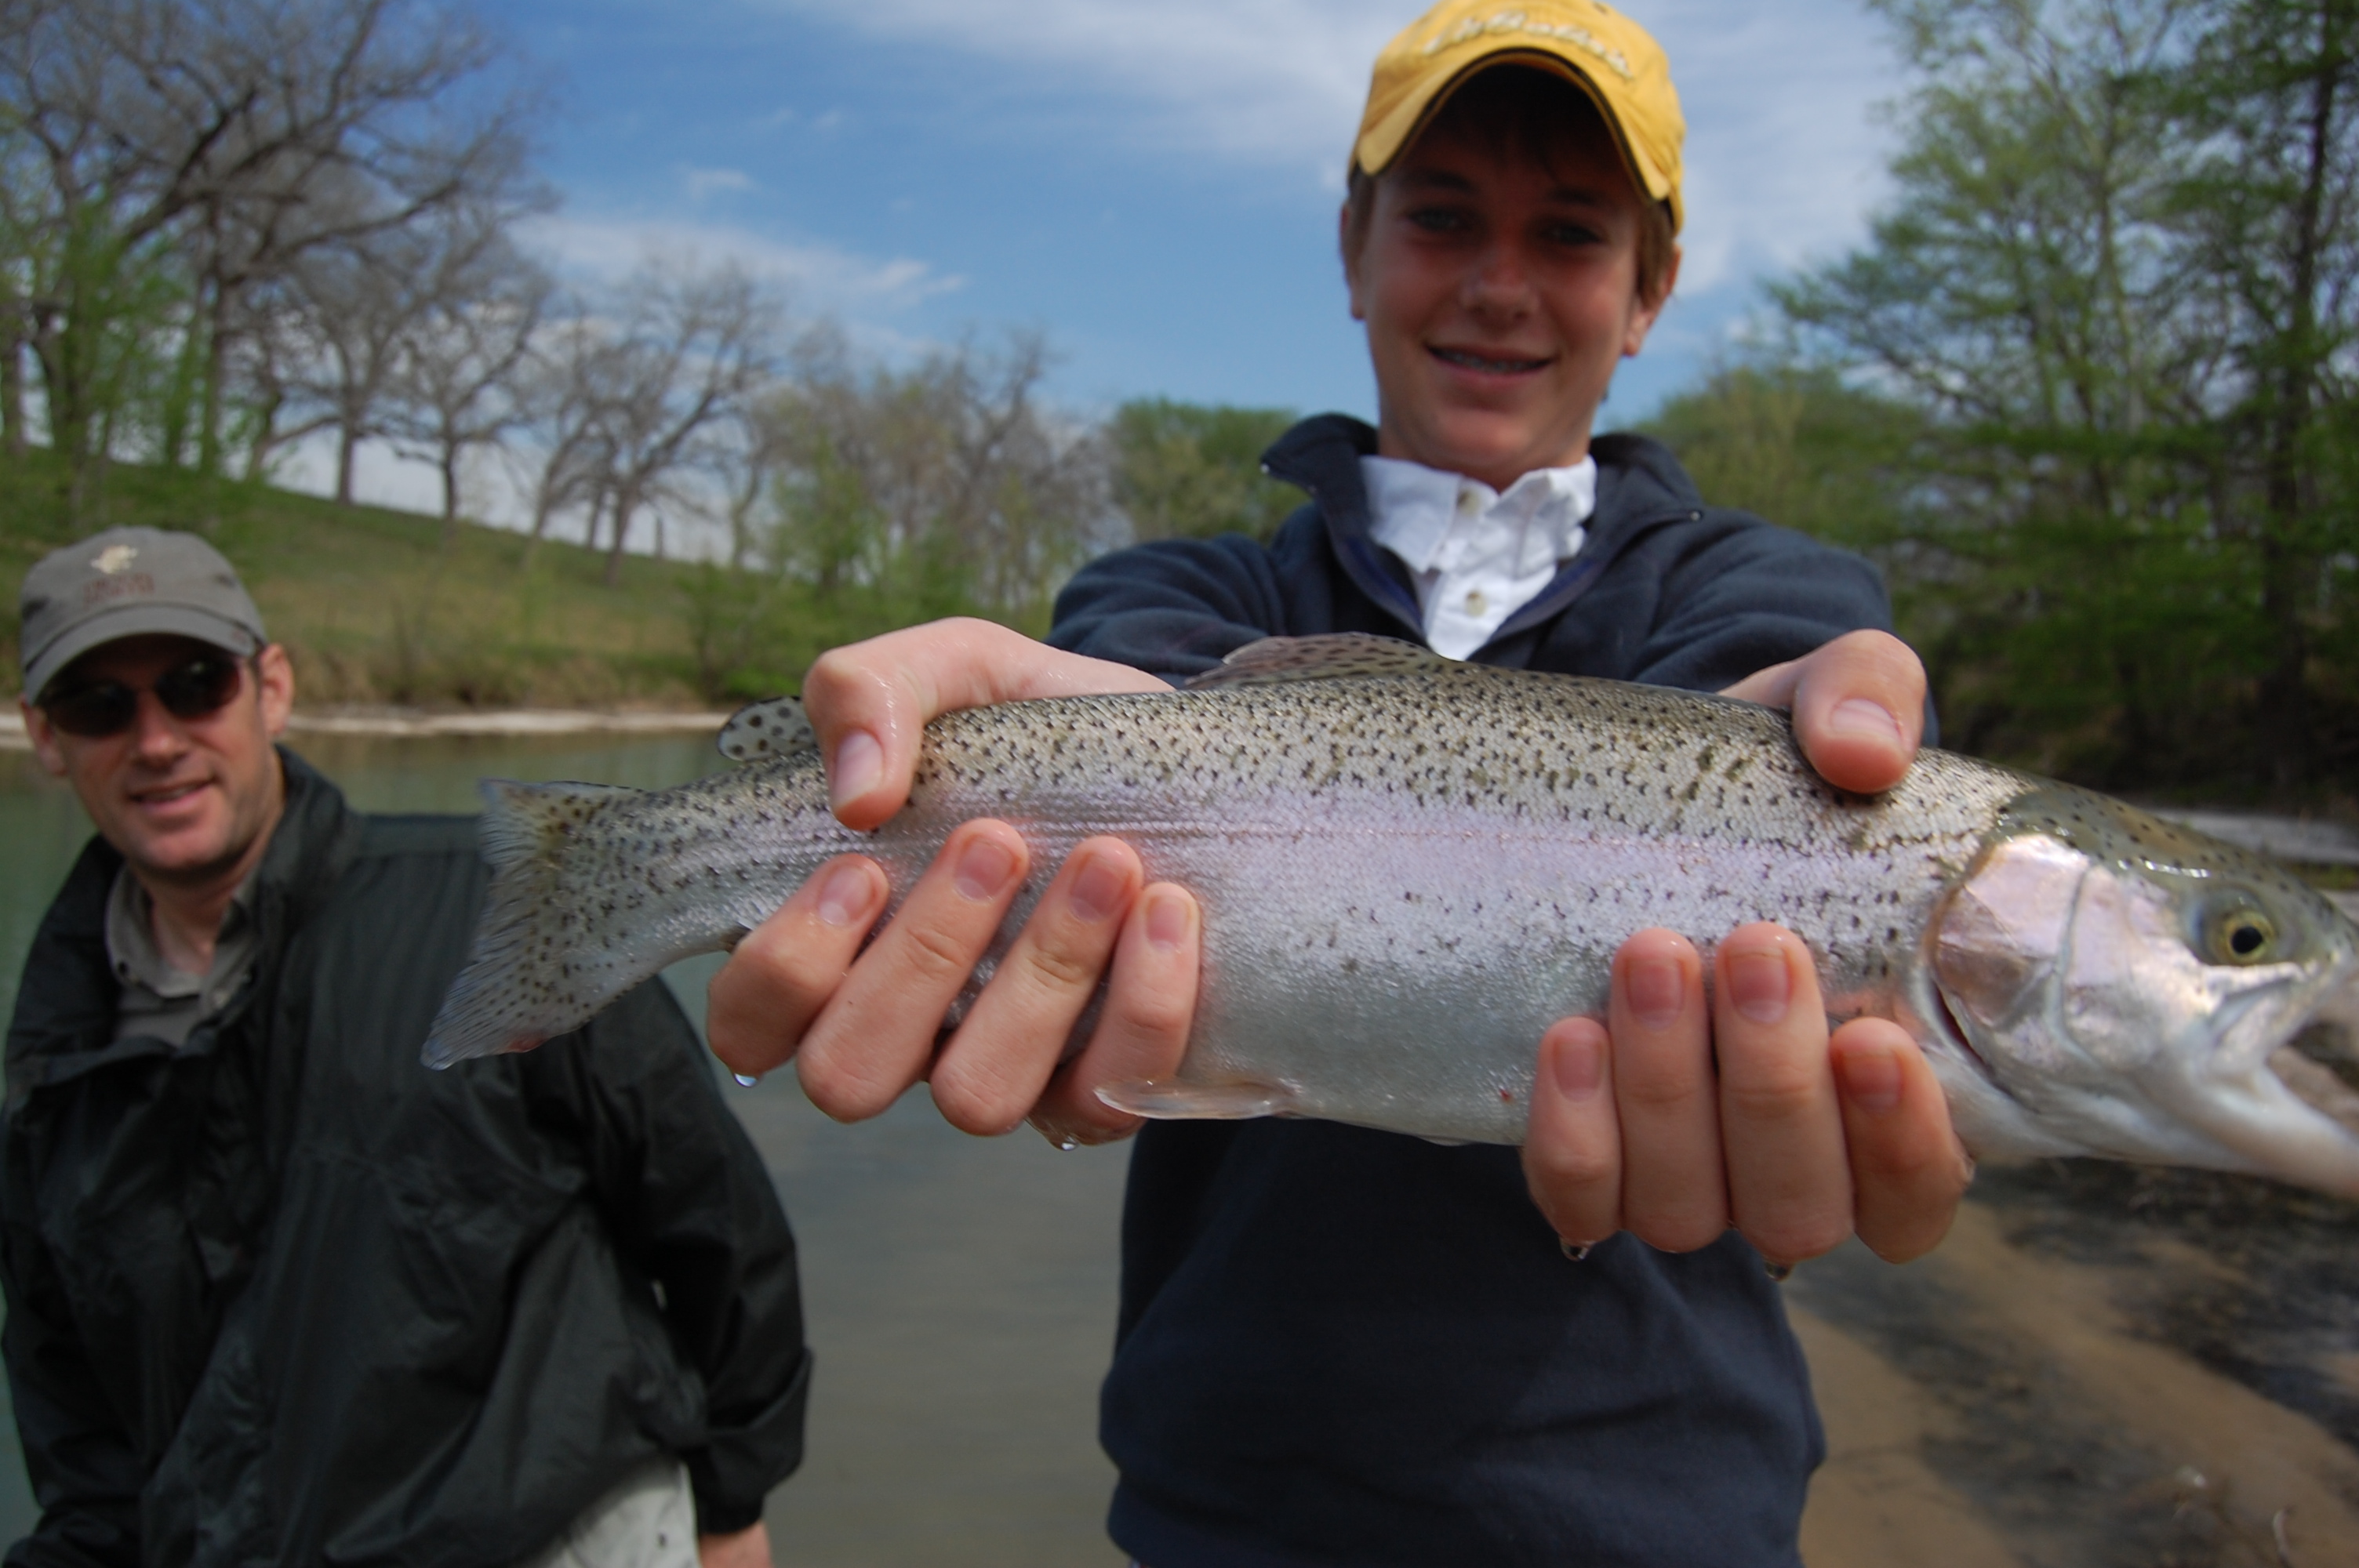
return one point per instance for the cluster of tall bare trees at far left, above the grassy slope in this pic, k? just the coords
(211, 211)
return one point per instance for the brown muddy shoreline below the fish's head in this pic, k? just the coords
(2101, 1369)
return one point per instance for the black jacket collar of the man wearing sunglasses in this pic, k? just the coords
(67, 1008)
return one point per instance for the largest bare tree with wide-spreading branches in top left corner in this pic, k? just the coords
(244, 133)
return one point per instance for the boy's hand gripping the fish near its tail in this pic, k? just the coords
(862, 1027)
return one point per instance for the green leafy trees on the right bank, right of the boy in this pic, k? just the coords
(2089, 390)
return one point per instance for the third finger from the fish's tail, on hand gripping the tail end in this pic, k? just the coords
(992, 1072)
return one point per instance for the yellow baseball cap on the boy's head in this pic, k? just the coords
(1584, 41)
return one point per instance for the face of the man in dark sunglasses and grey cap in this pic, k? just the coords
(185, 801)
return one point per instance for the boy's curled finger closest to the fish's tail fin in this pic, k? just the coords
(787, 968)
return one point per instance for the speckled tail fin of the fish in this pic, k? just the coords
(515, 987)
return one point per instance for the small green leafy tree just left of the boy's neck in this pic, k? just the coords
(1195, 470)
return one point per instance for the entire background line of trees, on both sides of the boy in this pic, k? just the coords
(2087, 393)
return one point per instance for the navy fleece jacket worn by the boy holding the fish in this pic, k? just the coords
(1355, 1348)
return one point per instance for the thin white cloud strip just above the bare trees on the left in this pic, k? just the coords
(817, 277)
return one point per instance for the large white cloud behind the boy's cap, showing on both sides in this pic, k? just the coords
(1782, 162)
